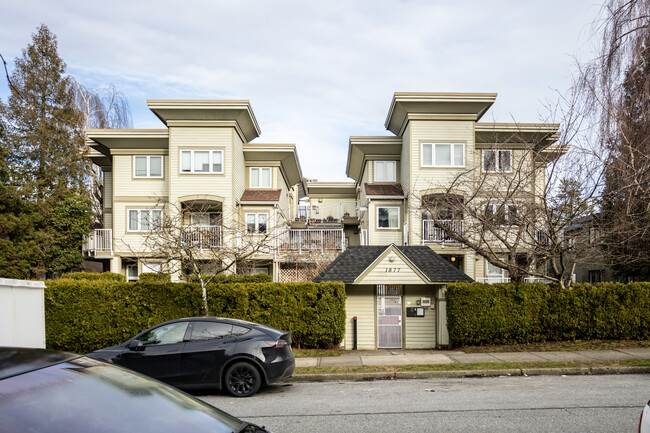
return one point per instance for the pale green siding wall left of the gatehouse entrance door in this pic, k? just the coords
(360, 302)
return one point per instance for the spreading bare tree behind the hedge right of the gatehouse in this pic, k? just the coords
(516, 204)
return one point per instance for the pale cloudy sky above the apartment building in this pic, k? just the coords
(315, 72)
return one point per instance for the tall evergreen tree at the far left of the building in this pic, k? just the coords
(44, 205)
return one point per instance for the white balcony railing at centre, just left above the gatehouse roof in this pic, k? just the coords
(310, 240)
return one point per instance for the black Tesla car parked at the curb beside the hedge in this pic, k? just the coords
(199, 352)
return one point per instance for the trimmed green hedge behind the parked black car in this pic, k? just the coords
(82, 315)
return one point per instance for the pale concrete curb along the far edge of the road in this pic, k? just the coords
(370, 376)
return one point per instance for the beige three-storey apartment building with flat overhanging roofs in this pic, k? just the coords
(202, 170)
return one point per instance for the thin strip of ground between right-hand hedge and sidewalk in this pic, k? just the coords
(553, 346)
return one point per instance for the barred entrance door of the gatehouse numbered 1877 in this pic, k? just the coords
(389, 319)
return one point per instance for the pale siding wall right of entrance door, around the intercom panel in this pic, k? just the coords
(419, 332)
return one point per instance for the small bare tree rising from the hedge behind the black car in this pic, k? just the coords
(211, 247)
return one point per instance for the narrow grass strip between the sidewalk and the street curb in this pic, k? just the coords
(475, 366)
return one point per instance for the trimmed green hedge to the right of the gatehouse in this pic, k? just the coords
(526, 313)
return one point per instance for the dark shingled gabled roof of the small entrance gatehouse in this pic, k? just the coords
(354, 261)
